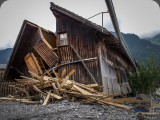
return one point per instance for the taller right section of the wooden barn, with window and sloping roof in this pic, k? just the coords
(79, 39)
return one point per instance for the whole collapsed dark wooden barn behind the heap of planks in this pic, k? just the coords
(95, 54)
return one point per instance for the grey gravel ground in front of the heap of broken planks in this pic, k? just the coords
(63, 110)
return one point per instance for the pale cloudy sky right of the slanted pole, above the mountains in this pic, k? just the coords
(138, 16)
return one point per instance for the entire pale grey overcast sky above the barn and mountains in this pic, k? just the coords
(141, 17)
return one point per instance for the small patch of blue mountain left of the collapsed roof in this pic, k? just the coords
(4, 55)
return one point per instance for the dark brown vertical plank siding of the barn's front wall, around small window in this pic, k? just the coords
(85, 41)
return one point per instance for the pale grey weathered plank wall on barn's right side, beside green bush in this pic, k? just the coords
(113, 71)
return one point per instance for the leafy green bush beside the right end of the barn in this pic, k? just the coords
(147, 77)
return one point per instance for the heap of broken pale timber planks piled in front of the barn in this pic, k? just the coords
(30, 90)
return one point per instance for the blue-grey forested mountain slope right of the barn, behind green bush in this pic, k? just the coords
(141, 49)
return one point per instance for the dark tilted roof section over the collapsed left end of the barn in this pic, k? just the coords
(23, 44)
